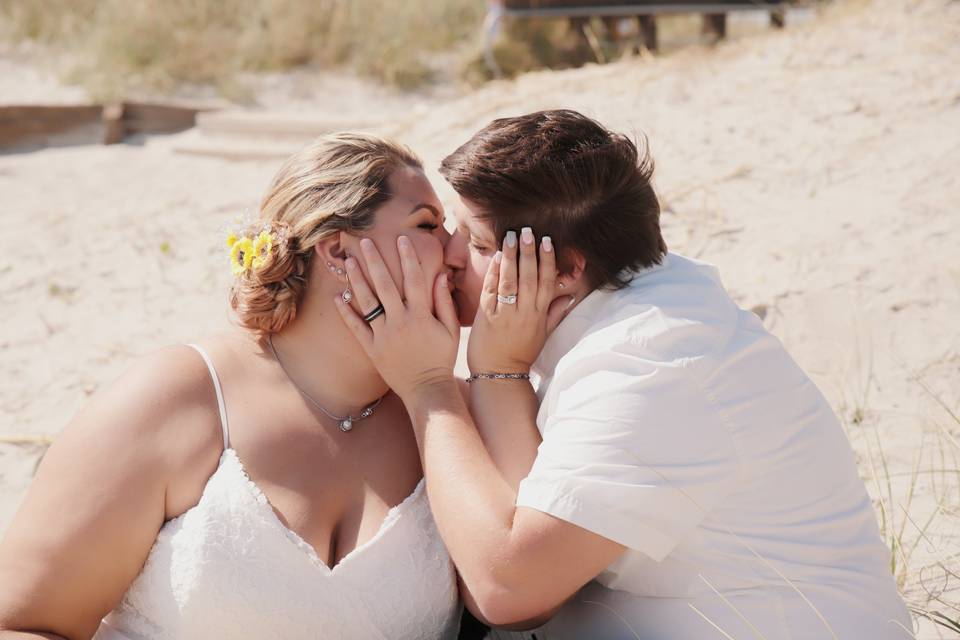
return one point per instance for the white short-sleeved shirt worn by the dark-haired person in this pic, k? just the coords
(674, 424)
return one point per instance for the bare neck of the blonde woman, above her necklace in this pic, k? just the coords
(323, 358)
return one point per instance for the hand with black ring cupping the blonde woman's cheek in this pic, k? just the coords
(410, 347)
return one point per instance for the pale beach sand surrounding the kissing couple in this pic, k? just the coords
(817, 167)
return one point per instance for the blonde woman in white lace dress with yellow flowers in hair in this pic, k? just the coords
(264, 483)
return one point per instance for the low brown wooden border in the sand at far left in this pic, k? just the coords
(31, 126)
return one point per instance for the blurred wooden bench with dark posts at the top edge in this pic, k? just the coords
(580, 11)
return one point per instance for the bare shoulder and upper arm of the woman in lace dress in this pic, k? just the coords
(108, 483)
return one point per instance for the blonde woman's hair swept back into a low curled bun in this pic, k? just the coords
(337, 183)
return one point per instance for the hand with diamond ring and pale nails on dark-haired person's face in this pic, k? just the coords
(518, 307)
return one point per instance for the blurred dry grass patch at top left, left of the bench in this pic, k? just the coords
(117, 46)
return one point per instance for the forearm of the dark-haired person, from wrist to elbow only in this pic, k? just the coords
(472, 504)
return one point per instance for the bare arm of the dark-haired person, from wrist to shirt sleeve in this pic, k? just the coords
(510, 575)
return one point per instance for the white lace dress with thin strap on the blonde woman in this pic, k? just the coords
(228, 568)
